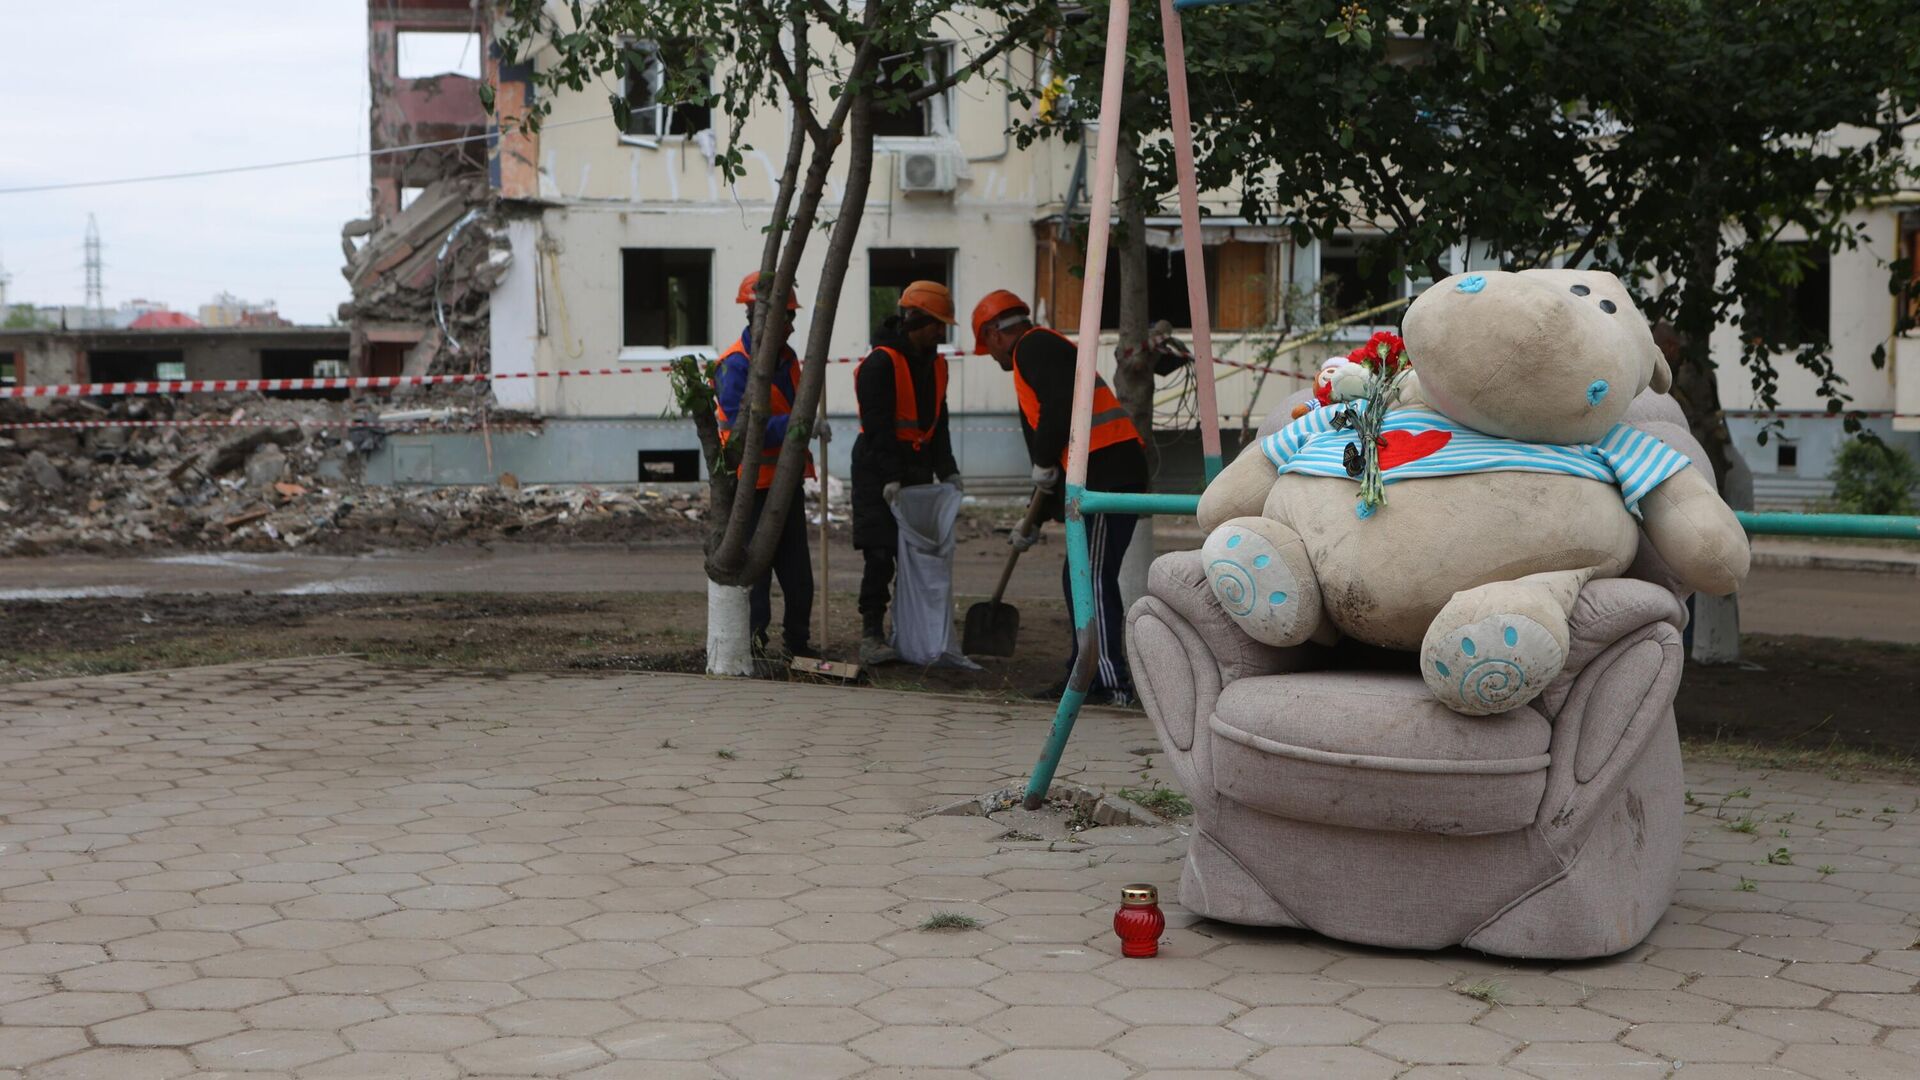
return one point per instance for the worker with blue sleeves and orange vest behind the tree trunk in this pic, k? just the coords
(792, 564)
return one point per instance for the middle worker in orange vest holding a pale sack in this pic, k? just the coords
(903, 441)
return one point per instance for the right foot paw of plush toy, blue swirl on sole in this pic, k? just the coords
(1491, 666)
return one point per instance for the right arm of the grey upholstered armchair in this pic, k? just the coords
(1614, 699)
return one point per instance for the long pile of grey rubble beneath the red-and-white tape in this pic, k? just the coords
(289, 483)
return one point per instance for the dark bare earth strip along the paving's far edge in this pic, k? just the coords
(1812, 702)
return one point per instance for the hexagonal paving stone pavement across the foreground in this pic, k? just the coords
(322, 870)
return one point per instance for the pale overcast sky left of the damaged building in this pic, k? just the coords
(105, 89)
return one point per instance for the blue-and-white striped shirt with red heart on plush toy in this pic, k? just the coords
(1420, 443)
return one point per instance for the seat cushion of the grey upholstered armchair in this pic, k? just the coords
(1374, 750)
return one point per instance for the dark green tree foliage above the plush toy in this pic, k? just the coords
(1698, 151)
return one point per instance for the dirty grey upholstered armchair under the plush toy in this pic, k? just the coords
(1335, 795)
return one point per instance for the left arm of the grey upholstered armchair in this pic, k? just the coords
(1186, 650)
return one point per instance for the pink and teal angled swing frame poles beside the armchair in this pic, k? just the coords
(1078, 499)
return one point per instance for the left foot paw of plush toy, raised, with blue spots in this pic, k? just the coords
(1260, 574)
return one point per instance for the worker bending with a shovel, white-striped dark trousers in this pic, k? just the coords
(1044, 366)
